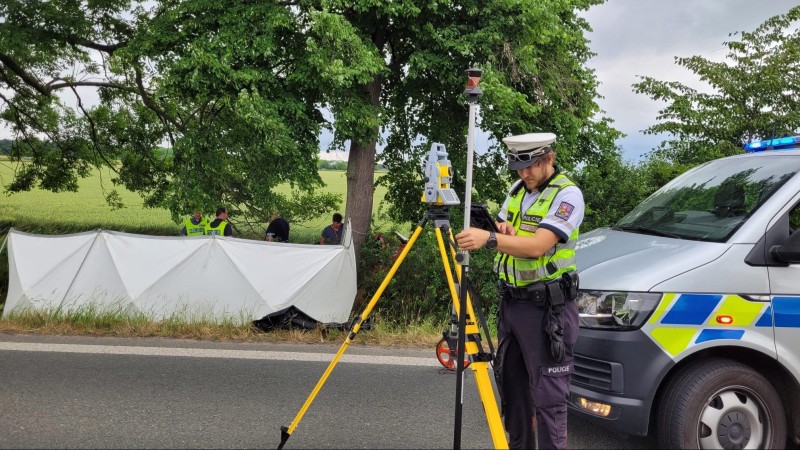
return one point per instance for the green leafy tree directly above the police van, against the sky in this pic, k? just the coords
(752, 95)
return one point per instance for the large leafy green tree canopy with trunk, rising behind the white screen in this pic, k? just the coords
(236, 91)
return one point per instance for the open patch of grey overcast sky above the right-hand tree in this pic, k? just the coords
(641, 38)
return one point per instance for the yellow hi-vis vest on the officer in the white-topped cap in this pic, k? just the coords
(558, 260)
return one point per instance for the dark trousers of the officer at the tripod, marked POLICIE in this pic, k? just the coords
(534, 389)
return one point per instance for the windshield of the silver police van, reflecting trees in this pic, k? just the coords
(710, 202)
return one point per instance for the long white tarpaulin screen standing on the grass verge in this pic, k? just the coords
(190, 277)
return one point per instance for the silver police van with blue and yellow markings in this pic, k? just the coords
(690, 308)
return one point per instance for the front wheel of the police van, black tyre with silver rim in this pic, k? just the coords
(719, 403)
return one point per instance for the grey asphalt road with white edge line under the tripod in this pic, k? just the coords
(72, 392)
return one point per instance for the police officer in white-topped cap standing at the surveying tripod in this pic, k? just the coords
(538, 316)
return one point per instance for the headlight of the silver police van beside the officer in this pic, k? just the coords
(615, 310)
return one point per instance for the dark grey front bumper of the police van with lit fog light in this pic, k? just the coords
(620, 369)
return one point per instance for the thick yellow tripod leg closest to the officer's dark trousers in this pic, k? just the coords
(479, 368)
